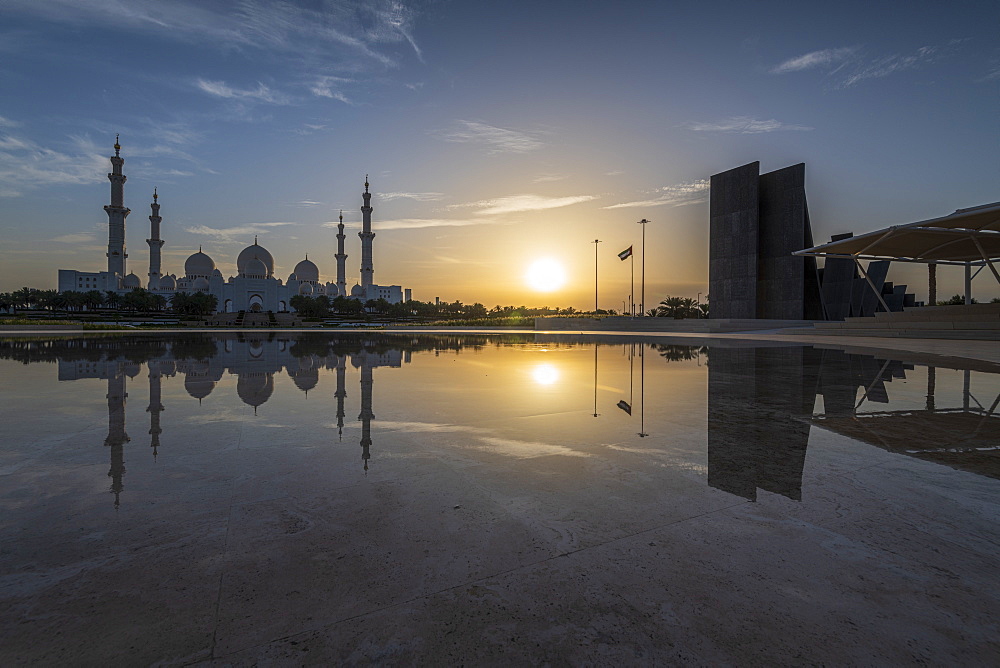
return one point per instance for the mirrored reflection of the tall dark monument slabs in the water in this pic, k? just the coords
(759, 403)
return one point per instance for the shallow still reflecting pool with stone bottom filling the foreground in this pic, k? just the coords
(390, 497)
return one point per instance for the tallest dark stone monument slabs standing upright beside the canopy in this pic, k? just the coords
(757, 222)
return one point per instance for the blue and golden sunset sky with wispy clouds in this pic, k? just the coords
(494, 134)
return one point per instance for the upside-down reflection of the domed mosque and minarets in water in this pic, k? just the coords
(203, 362)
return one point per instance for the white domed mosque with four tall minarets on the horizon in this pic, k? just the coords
(254, 288)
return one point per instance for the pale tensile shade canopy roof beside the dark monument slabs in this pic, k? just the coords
(964, 237)
